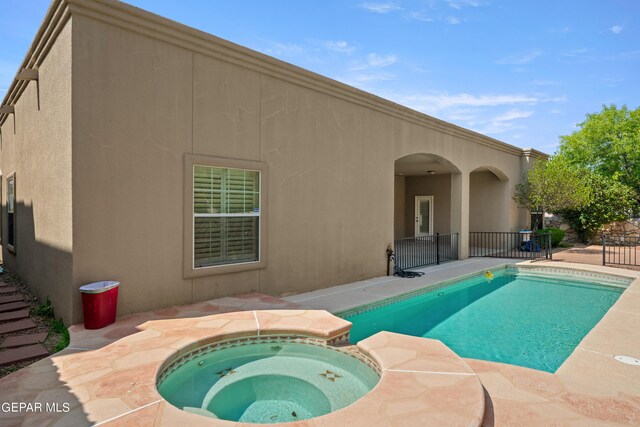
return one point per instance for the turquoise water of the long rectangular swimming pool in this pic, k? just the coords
(520, 318)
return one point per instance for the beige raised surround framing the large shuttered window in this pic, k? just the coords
(189, 270)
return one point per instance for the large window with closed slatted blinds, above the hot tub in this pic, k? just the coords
(226, 216)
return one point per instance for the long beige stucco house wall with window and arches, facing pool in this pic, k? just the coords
(144, 96)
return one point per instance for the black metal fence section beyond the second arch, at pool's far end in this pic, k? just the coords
(521, 244)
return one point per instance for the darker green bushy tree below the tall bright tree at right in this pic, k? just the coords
(610, 201)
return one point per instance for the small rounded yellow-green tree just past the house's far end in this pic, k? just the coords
(552, 186)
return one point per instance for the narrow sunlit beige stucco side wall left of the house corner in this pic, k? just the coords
(38, 150)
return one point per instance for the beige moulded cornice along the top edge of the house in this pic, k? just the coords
(143, 22)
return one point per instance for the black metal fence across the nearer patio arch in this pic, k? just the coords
(413, 252)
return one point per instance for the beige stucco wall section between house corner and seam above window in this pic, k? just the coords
(132, 109)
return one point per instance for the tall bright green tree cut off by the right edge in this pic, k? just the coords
(607, 143)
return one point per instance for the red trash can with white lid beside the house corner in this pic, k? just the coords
(99, 303)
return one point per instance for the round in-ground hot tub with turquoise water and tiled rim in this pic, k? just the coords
(267, 379)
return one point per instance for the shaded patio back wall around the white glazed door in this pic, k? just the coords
(438, 186)
